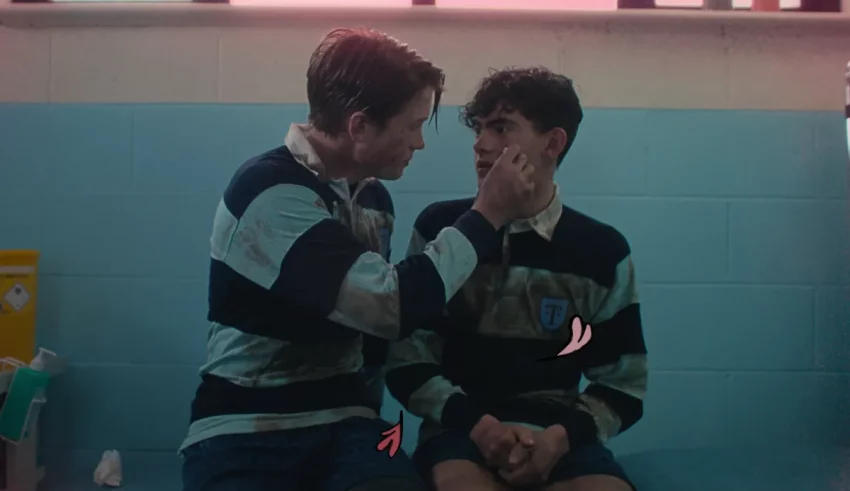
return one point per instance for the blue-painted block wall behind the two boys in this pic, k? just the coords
(738, 221)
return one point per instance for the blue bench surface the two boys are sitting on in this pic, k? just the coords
(775, 469)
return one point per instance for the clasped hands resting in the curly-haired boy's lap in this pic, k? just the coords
(522, 456)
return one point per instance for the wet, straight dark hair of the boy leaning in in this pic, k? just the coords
(365, 70)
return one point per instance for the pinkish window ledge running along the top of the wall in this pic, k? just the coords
(136, 14)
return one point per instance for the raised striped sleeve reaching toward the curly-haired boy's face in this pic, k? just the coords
(288, 242)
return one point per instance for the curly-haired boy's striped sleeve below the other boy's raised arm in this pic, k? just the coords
(414, 375)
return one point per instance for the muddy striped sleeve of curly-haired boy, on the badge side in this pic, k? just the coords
(615, 364)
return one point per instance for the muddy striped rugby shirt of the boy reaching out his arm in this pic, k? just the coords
(295, 283)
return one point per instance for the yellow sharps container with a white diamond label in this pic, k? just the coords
(18, 285)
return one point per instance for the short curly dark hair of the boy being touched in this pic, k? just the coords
(547, 99)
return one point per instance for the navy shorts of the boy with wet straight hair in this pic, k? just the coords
(334, 457)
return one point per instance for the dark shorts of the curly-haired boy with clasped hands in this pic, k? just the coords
(450, 445)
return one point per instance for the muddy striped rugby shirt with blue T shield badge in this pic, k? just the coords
(483, 356)
